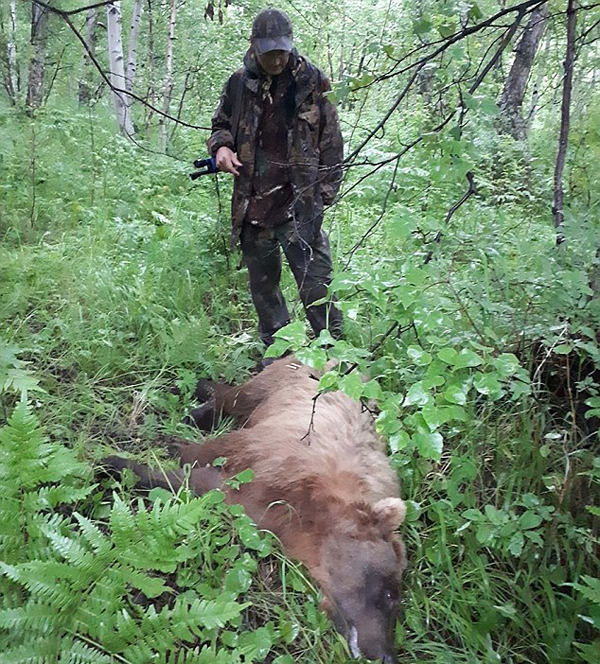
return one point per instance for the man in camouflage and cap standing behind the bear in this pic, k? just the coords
(277, 133)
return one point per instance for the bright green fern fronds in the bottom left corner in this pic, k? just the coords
(77, 590)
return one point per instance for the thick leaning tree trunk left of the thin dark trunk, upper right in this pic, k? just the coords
(511, 99)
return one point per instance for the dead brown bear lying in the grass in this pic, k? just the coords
(322, 484)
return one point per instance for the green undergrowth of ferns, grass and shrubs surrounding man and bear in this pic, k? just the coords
(479, 338)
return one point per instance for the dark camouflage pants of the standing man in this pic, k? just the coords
(311, 266)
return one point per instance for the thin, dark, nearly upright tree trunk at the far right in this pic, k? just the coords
(557, 208)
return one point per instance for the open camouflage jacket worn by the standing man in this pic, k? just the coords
(315, 148)
